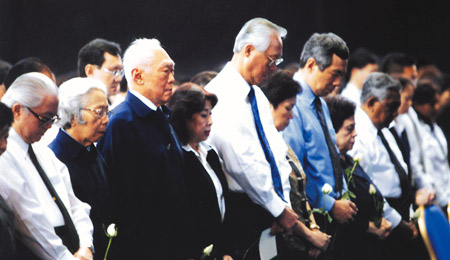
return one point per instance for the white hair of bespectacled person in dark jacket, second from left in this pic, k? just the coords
(74, 95)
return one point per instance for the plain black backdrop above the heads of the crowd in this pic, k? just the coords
(199, 34)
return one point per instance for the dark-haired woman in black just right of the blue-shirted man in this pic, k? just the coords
(369, 226)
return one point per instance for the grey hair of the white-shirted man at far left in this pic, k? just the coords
(29, 90)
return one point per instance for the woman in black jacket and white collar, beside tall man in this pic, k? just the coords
(206, 185)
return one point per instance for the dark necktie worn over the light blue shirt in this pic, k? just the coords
(335, 160)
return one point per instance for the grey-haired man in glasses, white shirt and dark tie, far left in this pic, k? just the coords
(54, 224)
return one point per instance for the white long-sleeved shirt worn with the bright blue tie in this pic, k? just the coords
(235, 138)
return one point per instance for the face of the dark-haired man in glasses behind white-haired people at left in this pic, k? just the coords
(105, 73)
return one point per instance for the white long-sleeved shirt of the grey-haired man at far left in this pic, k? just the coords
(36, 213)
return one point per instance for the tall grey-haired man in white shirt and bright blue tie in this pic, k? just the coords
(245, 137)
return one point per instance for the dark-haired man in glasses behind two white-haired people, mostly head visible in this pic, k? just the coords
(101, 59)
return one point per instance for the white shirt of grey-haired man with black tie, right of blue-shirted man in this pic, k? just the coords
(376, 162)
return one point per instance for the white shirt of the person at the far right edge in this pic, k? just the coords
(436, 162)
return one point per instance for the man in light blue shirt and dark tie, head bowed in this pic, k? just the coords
(311, 135)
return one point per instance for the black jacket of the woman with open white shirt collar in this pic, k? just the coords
(205, 213)
